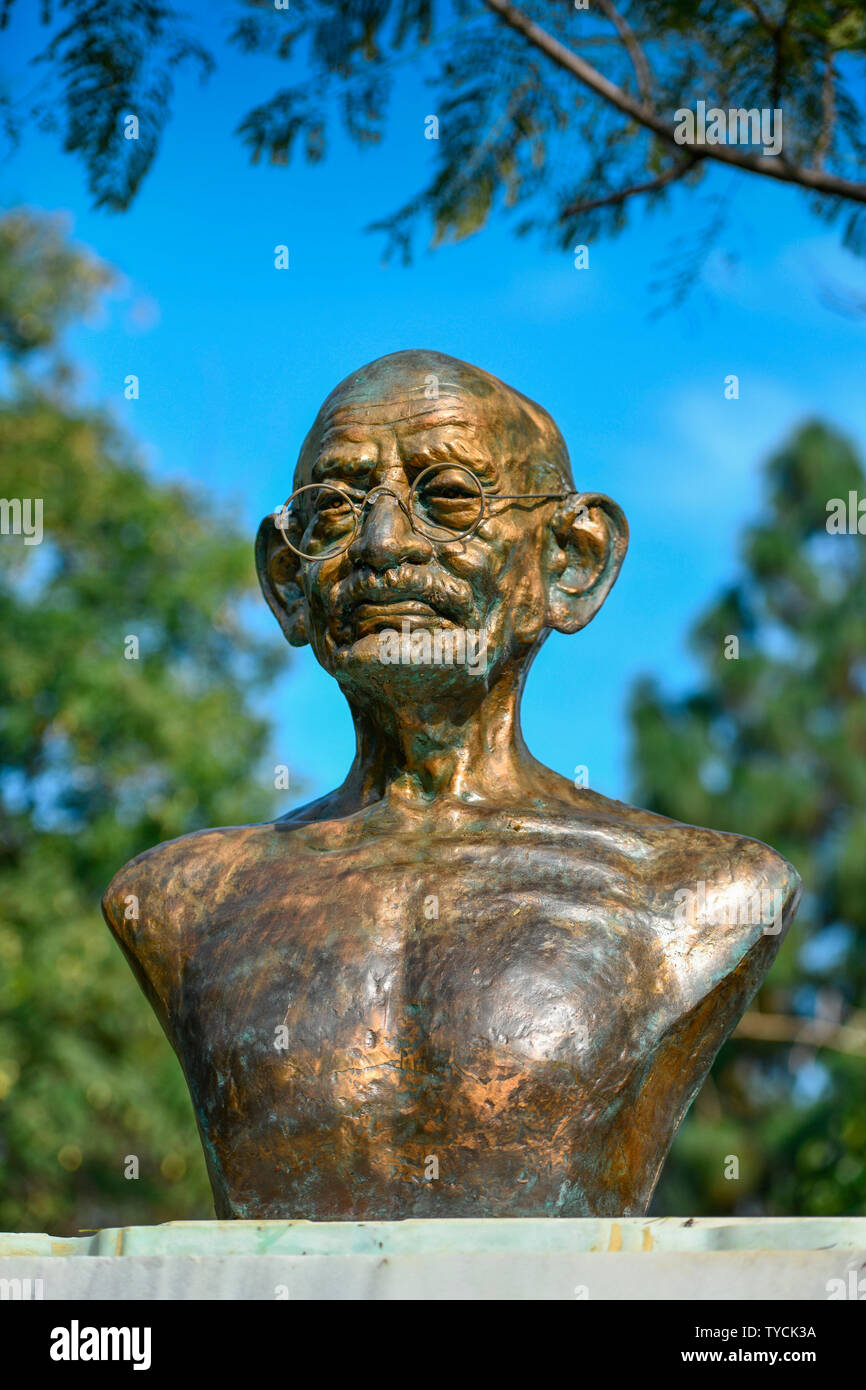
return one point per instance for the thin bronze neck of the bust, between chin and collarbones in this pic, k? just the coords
(469, 749)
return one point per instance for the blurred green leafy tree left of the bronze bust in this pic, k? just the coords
(102, 757)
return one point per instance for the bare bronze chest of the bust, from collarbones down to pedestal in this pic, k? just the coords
(354, 1017)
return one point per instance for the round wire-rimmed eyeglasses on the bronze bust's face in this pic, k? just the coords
(447, 504)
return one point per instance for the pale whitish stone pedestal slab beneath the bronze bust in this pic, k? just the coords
(636, 1259)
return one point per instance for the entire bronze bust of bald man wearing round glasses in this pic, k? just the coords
(457, 986)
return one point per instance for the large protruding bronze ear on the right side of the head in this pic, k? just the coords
(587, 547)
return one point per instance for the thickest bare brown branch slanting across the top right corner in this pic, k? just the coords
(768, 166)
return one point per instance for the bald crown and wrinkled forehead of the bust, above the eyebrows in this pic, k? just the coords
(422, 390)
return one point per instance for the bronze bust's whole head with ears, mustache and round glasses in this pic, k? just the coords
(389, 518)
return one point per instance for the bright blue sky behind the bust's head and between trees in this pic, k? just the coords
(234, 359)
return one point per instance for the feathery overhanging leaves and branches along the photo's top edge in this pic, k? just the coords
(564, 109)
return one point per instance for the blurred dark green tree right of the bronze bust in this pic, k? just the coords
(774, 746)
